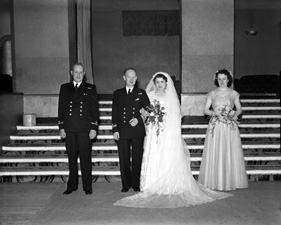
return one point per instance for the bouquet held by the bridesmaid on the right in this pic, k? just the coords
(224, 115)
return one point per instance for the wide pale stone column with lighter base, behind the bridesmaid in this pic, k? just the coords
(207, 46)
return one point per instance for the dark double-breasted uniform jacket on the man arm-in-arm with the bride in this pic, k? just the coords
(124, 108)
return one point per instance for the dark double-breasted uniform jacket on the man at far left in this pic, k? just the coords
(78, 110)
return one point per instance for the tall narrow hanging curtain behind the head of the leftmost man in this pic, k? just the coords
(84, 46)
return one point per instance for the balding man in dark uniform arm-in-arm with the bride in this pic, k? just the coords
(128, 128)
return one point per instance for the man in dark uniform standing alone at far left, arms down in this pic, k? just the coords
(78, 124)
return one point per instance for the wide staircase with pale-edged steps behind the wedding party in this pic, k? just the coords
(37, 154)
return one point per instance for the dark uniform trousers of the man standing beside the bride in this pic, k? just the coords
(130, 175)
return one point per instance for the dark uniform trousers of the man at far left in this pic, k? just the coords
(79, 143)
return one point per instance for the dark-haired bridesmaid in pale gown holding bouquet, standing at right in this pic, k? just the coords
(222, 166)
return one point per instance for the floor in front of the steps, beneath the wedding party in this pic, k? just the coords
(39, 203)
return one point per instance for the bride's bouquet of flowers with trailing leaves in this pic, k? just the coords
(155, 117)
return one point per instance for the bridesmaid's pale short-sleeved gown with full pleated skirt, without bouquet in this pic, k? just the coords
(223, 166)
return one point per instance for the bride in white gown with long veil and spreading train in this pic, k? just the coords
(166, 178)
